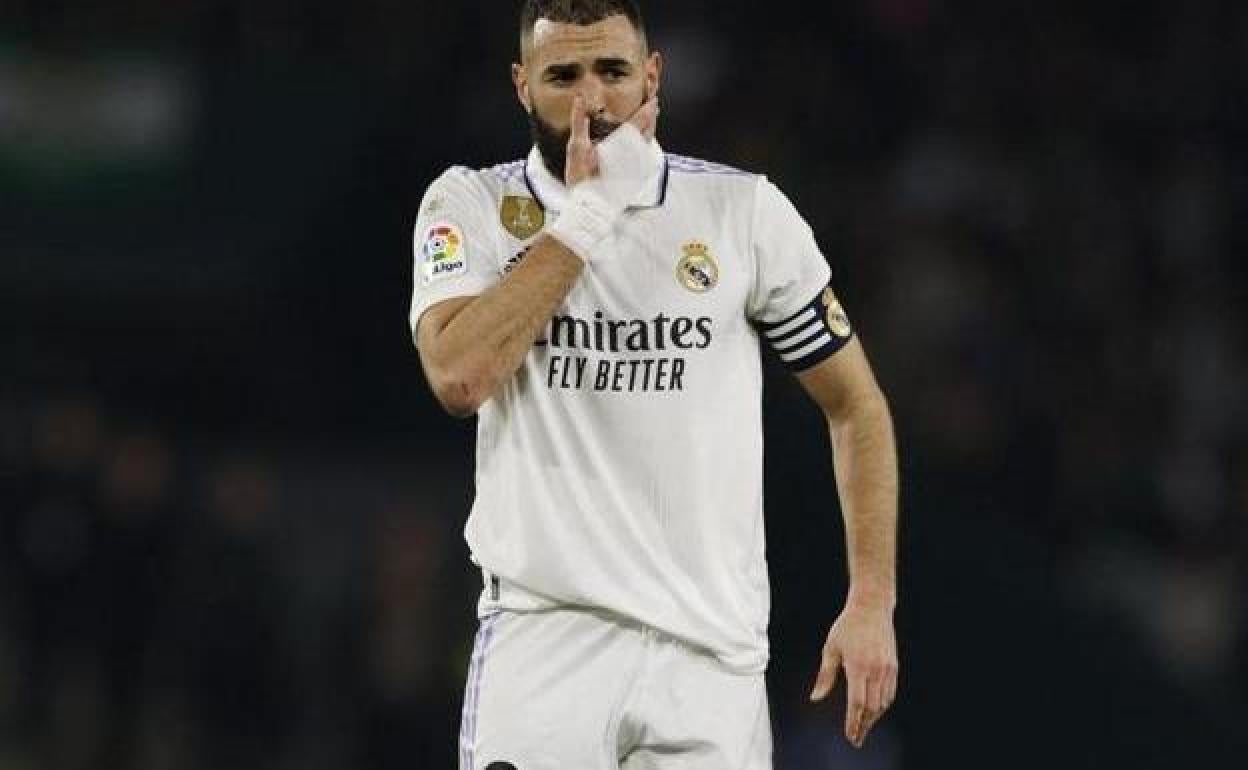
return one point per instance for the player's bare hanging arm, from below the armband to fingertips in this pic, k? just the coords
(862, 641)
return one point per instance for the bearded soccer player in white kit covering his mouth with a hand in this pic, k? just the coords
(600, 308)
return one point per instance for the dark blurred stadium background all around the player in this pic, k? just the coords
(232, 512)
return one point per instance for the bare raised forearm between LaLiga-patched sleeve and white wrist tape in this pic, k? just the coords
(486, 343)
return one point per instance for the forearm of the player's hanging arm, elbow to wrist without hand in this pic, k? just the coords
(867, 479)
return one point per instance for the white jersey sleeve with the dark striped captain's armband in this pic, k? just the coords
(792, 304)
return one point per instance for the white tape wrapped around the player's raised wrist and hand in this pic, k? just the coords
(625, 165)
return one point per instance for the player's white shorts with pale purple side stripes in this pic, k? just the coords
(573, 690)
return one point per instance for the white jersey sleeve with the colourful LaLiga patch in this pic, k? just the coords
(454, 245)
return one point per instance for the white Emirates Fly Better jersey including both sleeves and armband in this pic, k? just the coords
(622, 467)
